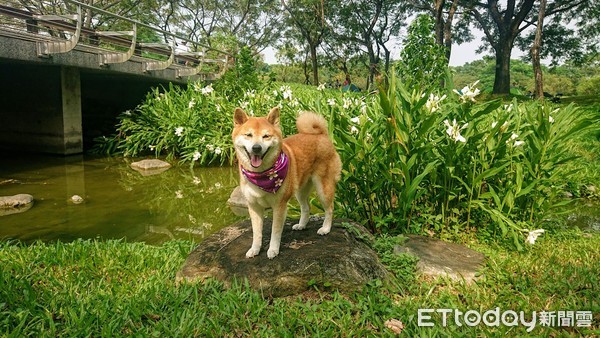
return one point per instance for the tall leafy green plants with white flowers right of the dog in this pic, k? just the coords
(417, 161)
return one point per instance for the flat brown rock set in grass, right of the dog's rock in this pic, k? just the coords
(439, 258)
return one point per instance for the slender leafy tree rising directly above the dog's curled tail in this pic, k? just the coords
(308, 16)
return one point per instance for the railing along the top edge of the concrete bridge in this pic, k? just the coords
(58, 26)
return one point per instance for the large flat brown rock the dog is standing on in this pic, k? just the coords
(341, 260)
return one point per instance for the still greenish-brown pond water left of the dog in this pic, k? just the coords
(118, 202)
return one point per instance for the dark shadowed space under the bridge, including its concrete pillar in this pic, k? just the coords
(59, 109)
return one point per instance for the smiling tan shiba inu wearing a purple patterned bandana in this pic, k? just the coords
(273, 169)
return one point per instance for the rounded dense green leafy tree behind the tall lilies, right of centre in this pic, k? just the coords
(422, 62)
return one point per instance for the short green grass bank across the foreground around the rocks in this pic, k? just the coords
(93, 288)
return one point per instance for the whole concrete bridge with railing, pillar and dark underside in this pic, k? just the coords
(62, 84)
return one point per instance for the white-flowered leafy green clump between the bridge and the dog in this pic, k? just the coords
(179, 122)
